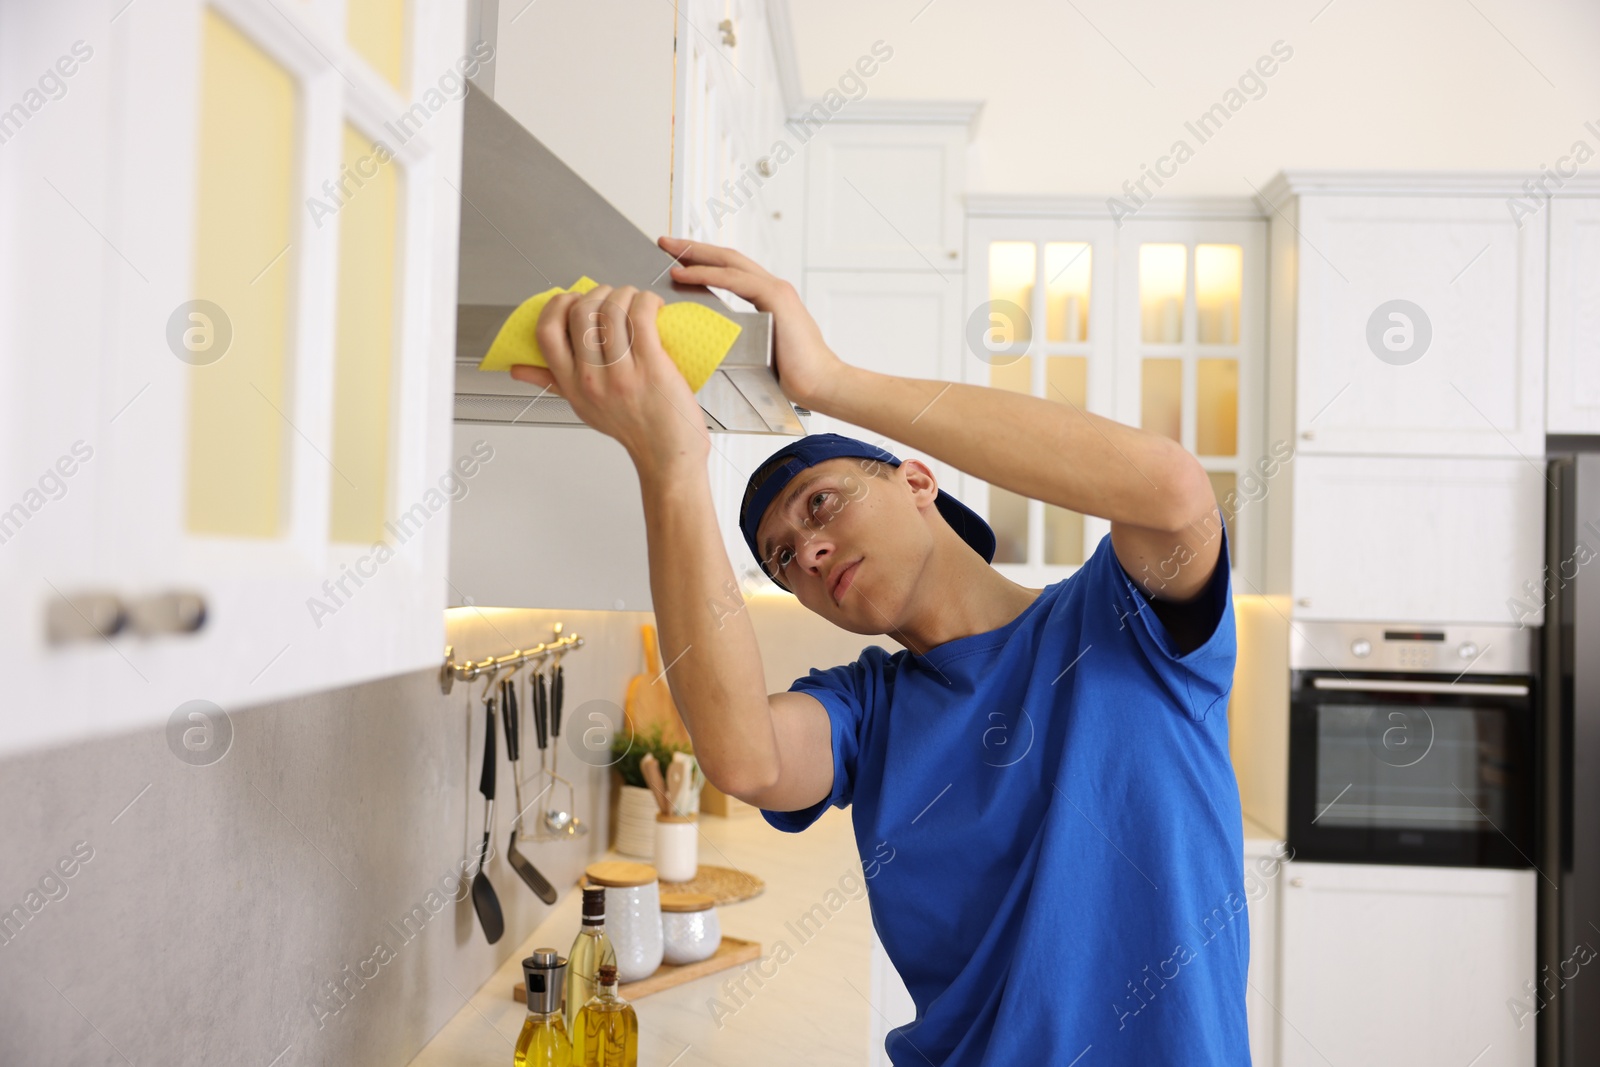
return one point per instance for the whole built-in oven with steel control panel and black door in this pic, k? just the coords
(1412, 745)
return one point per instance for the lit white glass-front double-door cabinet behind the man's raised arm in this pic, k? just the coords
(1156, 324)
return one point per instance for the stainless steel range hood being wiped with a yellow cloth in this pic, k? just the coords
(530, 223)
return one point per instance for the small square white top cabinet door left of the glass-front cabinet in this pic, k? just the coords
(882, 198)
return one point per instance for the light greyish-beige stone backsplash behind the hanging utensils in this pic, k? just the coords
(222, 906)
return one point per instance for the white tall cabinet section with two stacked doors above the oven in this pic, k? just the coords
(1409, 375)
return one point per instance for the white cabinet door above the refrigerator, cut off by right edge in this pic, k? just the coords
(1575, 318)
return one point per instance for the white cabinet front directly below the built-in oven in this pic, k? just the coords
(1393, 967)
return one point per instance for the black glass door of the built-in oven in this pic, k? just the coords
(1412, 778)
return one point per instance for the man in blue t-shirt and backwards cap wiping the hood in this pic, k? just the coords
(1041, 777)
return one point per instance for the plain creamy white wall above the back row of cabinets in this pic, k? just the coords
(1372, 86)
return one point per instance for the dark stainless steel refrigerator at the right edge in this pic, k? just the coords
(1566, 993)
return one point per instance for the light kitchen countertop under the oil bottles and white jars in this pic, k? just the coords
(801, 1013)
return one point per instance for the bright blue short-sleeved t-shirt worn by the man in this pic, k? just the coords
(1052, 833)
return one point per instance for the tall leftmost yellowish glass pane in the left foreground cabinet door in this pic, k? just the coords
(238, 465)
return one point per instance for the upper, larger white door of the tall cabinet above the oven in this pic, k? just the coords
(1422, 327)
